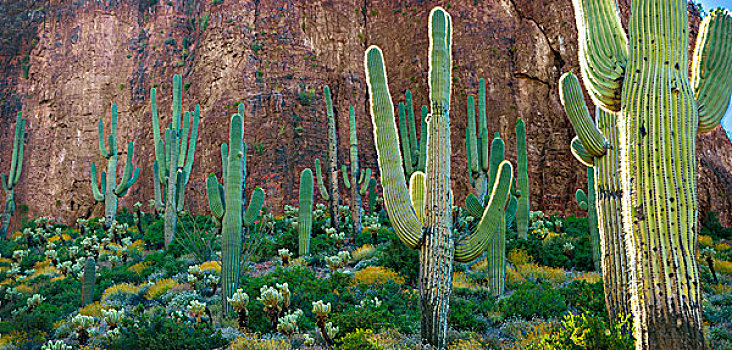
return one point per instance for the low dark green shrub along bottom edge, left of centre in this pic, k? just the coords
(158, 332)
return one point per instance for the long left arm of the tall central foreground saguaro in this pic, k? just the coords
(396, 194)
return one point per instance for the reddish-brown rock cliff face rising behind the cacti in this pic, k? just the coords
(67, 61)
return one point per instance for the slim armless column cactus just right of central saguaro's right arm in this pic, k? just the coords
(522, 179)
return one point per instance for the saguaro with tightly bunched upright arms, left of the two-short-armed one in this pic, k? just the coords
(173, 157)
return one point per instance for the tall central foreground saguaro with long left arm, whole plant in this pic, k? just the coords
(422, 213)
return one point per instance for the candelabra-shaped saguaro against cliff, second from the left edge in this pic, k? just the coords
(106, 189)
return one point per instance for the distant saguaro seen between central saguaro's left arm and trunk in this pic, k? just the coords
(415, 158)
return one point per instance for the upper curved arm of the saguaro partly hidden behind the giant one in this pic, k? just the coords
(574, 105)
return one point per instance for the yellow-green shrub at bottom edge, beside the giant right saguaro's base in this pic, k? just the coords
(585, 331)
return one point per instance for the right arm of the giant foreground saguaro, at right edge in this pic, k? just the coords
(711, 70)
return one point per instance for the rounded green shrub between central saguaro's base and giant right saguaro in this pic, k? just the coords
(533, 300)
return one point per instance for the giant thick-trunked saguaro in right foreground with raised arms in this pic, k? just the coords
(644, 76)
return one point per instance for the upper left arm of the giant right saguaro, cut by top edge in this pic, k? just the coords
(603, 50)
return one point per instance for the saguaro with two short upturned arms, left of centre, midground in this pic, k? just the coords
(227, 206)
